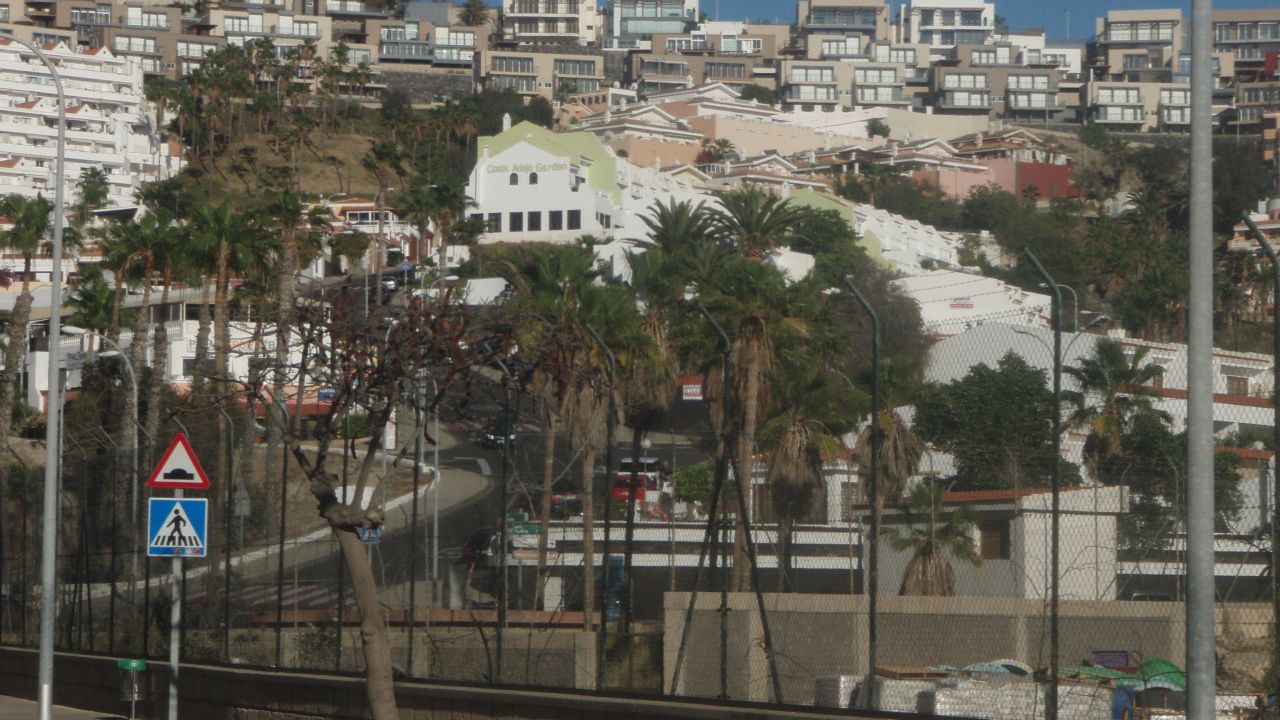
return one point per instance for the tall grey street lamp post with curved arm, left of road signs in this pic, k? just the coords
(53, 449)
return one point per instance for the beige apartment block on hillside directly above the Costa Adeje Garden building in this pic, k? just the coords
(532, 74)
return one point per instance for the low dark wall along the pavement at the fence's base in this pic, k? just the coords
(226, 694)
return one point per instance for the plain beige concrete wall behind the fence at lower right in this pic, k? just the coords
(816, 636)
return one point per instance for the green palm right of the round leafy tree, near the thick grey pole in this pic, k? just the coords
(1113, 393)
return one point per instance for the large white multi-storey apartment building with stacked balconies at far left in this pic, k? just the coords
(109, 125)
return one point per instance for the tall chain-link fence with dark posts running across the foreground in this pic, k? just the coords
(963, 622)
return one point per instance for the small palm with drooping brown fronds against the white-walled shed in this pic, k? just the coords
(939, 537)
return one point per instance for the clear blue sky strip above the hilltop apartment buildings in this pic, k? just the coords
(1022, 15)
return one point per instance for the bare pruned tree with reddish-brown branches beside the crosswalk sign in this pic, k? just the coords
(374, 364)
